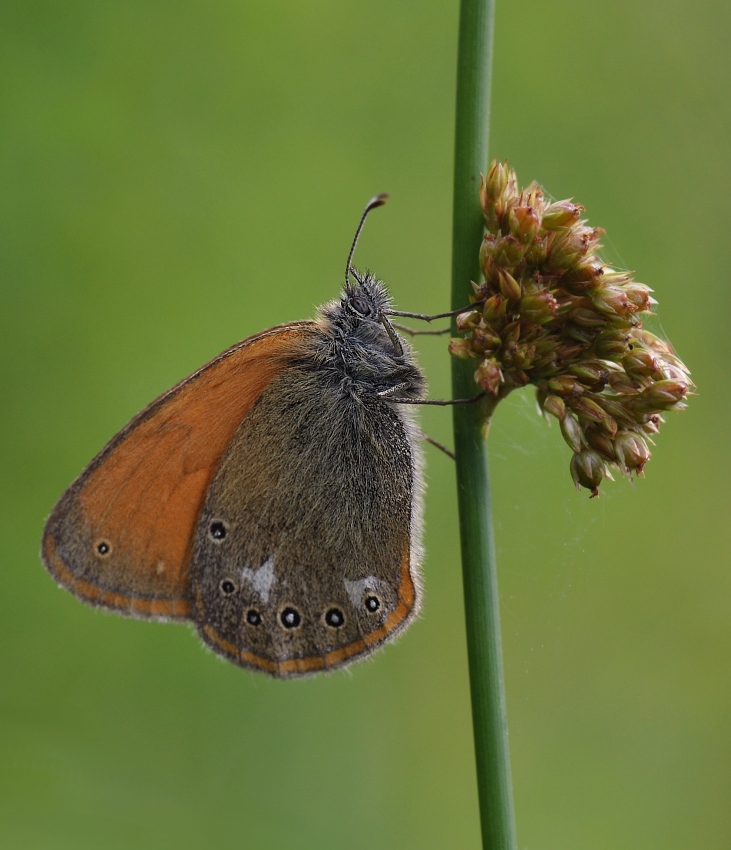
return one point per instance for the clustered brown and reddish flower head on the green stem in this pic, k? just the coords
(552, 313)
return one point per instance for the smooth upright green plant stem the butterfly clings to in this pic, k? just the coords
(482, 615)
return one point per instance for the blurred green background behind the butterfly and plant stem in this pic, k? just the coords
(177, 176)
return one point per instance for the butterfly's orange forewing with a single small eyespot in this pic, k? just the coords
(121, 536)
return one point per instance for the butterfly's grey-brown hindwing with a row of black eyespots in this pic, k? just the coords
(302, 557)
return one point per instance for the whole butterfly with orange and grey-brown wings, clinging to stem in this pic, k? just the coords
(272, 498)
